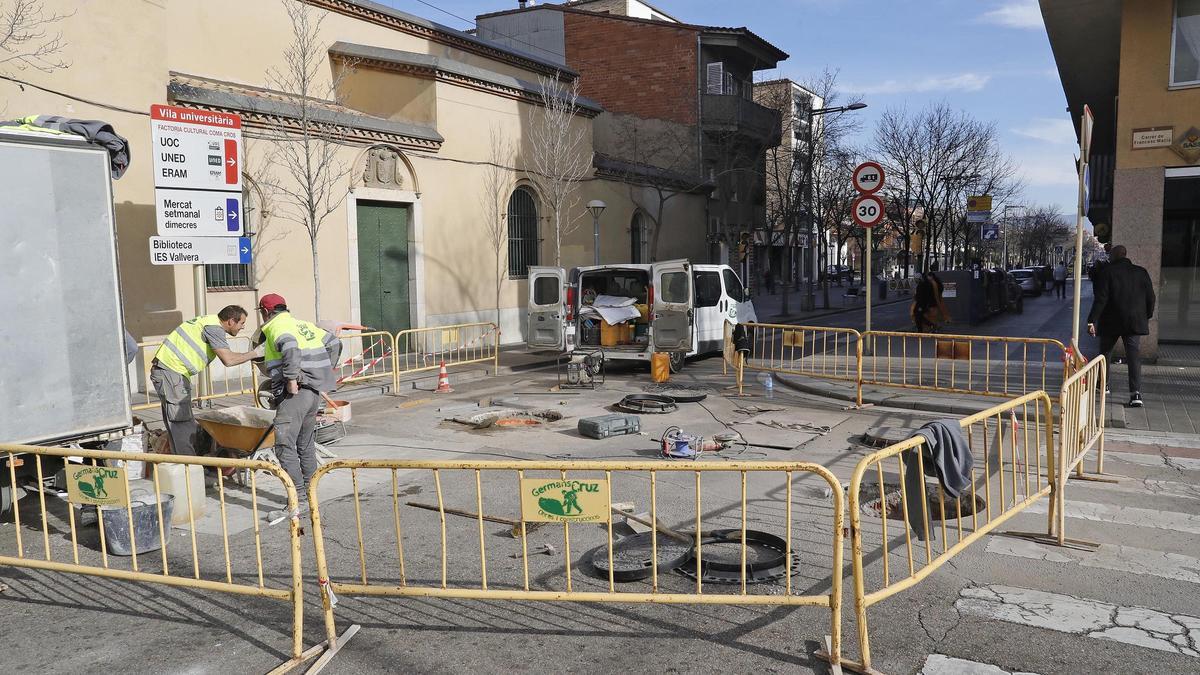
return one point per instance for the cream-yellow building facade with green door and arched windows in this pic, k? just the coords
(415, 112)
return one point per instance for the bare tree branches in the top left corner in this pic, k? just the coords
(26, 38)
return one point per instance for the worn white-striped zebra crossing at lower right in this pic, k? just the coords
(1145, 527)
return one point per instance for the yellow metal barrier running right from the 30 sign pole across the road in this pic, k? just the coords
(963, 365)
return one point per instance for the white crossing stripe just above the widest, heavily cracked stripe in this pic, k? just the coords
(1108, 557)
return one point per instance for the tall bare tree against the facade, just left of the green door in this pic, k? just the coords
(310, 174)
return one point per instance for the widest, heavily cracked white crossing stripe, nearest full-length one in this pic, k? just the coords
(1130, 625)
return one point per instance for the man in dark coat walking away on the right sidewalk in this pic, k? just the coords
(1123, 306)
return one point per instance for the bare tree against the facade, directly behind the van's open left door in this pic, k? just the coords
(560, 156)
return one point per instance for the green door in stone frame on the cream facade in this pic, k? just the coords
(383, 266)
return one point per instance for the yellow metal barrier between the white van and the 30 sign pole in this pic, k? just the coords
(814, 351)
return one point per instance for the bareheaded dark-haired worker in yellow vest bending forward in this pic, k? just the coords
(184, 355)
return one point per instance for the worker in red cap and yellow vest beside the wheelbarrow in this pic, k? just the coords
(299, 365)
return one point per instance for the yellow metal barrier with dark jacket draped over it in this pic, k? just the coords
(1015, 458)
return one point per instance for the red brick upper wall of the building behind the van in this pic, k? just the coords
(635, 68)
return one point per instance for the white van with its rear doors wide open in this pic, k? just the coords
(671, 307)
